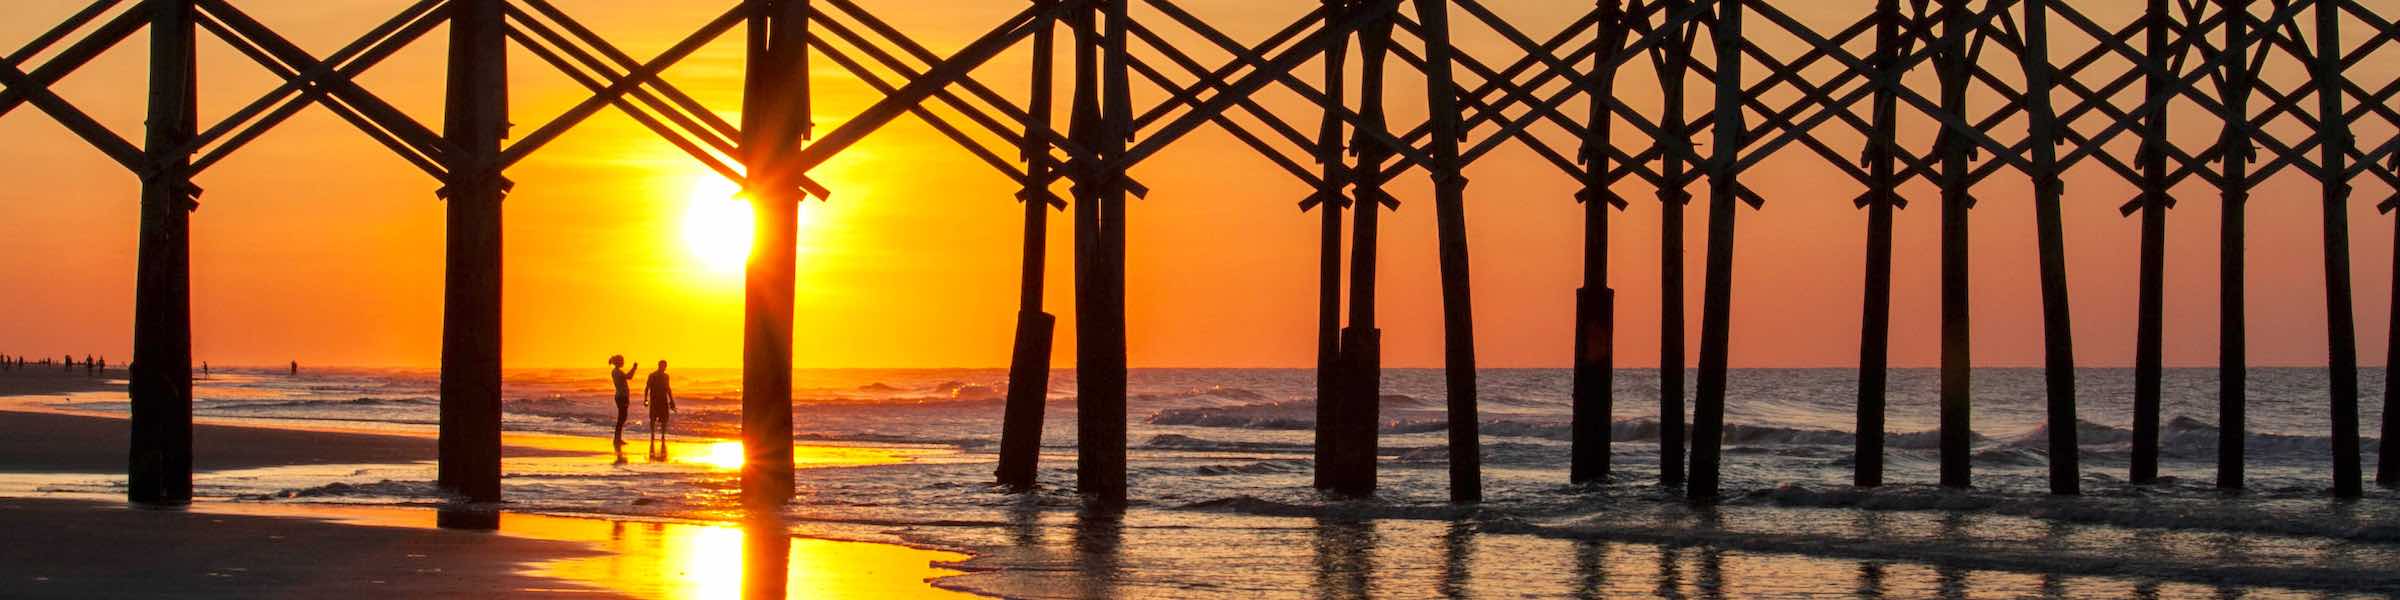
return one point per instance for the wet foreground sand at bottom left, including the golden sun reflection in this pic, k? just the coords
(64, 548)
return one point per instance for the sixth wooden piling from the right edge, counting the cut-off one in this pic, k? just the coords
(1957, 359)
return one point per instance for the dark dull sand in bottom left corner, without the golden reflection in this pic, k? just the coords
(107, 551)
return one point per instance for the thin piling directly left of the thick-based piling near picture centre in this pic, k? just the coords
(1331, 203)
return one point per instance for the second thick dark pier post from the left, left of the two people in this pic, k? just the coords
(476, 124)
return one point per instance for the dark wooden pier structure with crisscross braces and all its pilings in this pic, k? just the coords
(2010, 88)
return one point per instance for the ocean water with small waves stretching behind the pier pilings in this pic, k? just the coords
(1220, 467)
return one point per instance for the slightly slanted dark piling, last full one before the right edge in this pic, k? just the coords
(2334, 172)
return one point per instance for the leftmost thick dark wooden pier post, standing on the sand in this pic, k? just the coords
(160, 467)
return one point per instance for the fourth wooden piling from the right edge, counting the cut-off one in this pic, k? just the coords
(2154, 251)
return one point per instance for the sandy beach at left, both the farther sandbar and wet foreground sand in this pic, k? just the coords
(78, 546)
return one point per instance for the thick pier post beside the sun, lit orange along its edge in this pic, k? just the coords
(774, 131)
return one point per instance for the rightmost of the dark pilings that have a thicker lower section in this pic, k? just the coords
(1595, 304)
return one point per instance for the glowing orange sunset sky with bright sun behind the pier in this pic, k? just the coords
(318, 246)
